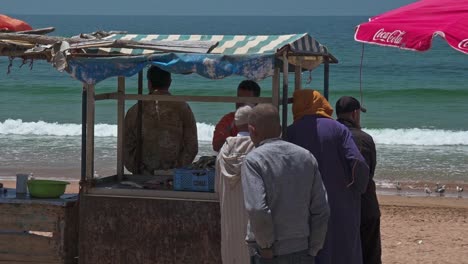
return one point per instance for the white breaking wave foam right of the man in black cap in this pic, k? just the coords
(418, 137)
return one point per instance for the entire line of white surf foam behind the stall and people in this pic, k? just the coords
(386, 136)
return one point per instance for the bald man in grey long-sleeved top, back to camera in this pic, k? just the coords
(283, 193)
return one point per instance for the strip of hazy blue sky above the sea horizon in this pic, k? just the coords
(202, 7)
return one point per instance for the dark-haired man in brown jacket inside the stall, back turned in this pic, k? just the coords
(169, 131)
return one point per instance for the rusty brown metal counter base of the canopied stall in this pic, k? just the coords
(128, 225)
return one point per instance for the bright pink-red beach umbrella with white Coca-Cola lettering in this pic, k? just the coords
(414, 26)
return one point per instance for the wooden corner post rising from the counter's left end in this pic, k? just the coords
(90, 132)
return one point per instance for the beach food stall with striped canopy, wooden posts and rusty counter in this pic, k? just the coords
(172, 216)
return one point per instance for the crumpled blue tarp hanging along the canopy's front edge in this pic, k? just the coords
(212, 66)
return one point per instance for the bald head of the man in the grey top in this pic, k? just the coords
(264, 123)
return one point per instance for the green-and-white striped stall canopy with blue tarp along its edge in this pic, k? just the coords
(252, 57)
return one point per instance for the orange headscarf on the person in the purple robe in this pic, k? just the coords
(310, 102)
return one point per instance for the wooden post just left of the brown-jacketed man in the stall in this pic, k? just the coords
(120, 126)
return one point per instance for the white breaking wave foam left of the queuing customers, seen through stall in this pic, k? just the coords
(41, 128)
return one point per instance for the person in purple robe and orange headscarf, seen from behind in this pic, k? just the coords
(343, 169)
